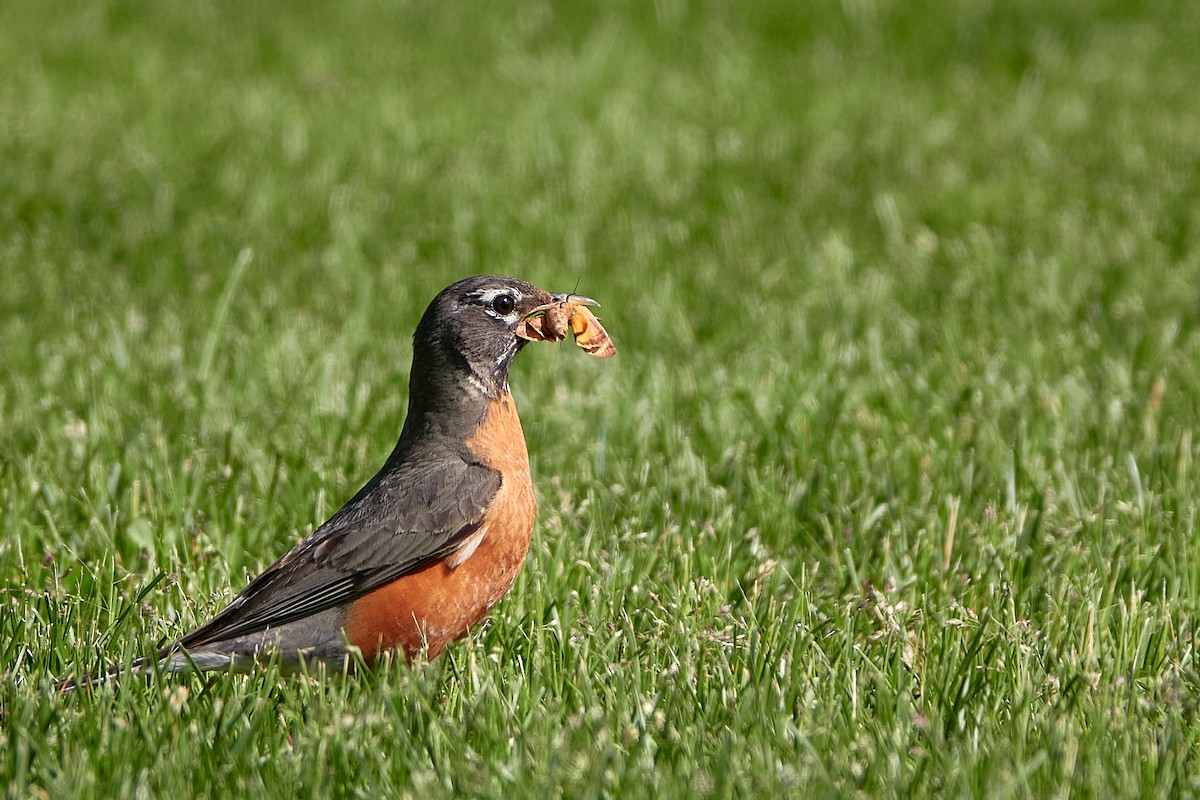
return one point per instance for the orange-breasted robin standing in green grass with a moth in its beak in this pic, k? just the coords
(439, 537)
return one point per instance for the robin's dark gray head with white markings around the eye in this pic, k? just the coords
(469, 338)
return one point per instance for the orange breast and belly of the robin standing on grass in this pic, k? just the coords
(427, 611)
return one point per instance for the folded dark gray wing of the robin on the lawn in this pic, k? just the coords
(407, 518)
